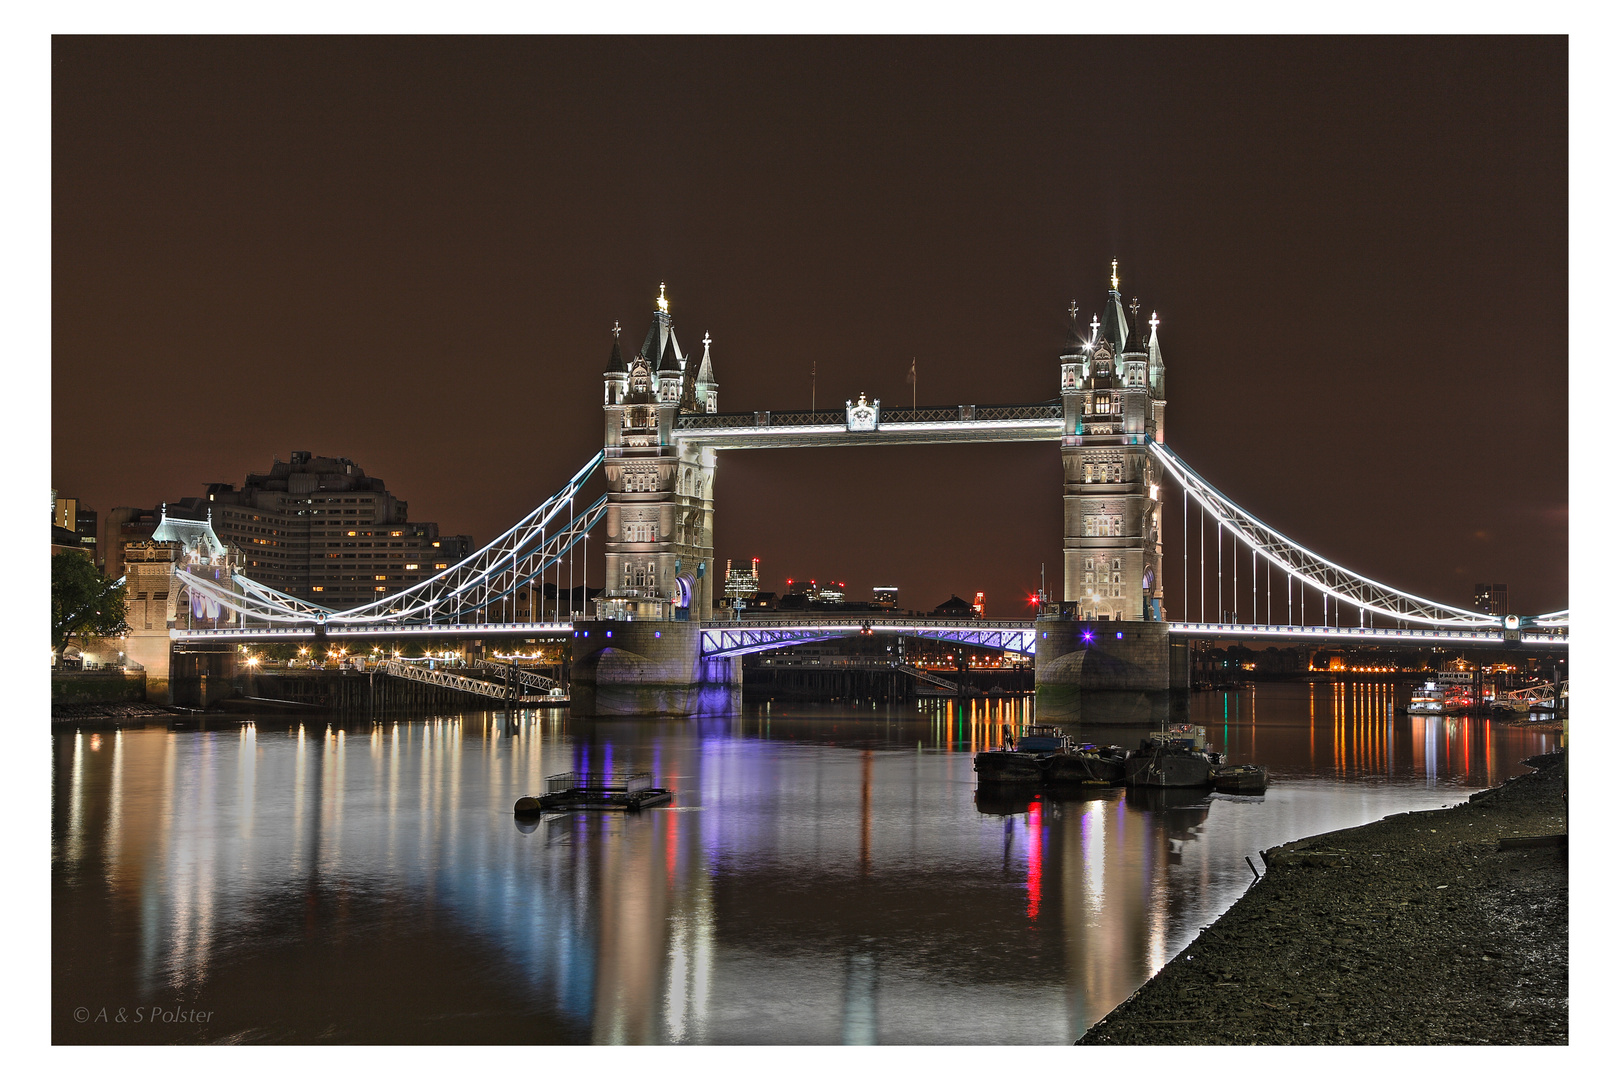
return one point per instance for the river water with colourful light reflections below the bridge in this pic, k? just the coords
(825, 875)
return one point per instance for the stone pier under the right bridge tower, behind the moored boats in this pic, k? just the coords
(1109, 673)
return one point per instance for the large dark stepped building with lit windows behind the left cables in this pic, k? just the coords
(322, 530)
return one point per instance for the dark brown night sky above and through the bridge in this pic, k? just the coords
(411, 253)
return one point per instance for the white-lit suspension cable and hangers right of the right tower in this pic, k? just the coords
(1310, 569)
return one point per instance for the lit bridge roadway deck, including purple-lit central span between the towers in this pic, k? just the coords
(762, 634)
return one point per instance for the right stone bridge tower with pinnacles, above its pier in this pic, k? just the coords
(1114, 406)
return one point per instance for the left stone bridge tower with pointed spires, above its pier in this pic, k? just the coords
(662, 498)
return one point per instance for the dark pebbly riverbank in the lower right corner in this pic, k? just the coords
(1425, 929)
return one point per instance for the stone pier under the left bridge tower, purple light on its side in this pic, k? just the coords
(650, 668)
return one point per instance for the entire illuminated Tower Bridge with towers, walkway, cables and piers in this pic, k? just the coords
(650, 644)
